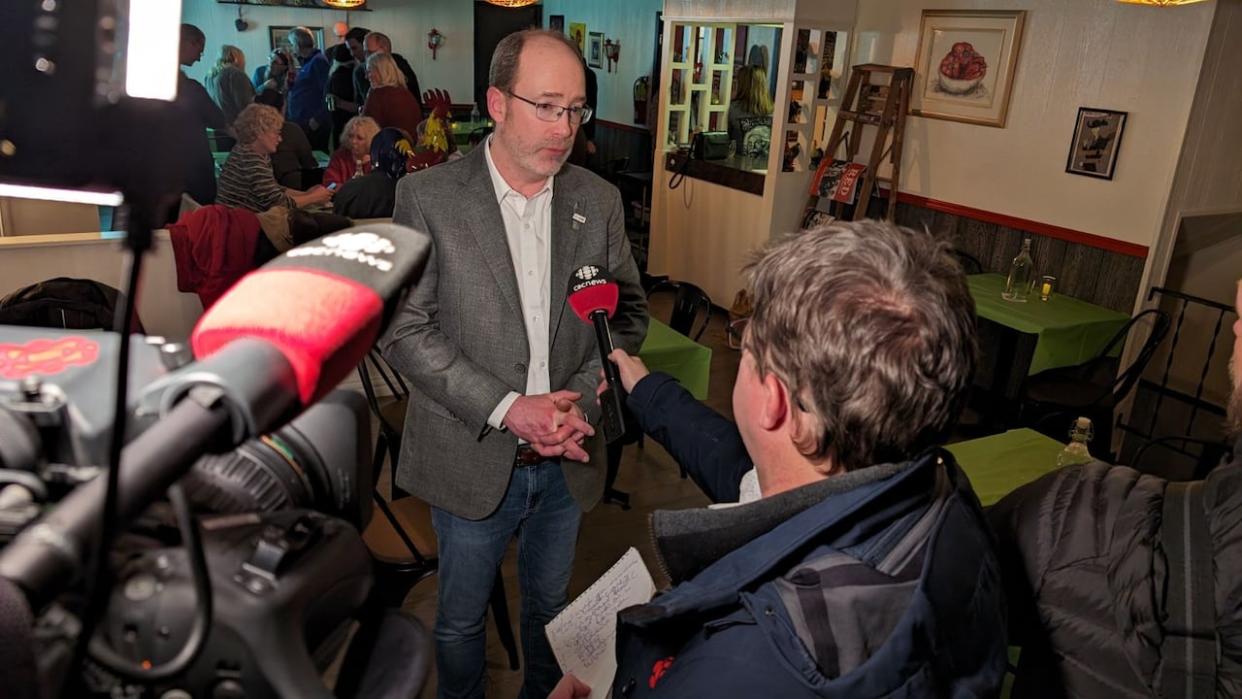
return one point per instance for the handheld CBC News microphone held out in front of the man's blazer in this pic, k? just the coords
(593, 295)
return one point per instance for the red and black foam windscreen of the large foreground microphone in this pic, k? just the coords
(324, 305)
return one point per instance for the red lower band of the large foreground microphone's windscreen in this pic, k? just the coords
(324, 323)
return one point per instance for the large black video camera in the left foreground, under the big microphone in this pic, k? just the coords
(289, 572)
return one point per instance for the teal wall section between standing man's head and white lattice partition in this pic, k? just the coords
(634, 24)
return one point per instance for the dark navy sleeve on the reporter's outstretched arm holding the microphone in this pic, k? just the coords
(701, 440)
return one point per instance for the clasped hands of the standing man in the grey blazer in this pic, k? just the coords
(552, 423)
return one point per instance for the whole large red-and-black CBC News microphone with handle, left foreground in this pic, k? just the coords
(278, 341)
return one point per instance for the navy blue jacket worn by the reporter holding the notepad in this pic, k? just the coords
(725, 630)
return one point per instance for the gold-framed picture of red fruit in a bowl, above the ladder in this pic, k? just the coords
(966, 68)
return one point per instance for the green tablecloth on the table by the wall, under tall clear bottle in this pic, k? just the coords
(1070, 331)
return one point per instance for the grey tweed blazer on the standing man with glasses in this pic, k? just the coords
(461, 341)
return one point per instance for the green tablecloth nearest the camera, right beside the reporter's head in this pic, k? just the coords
(1000, 464)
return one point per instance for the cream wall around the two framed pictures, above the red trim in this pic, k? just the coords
(1075, 54)
